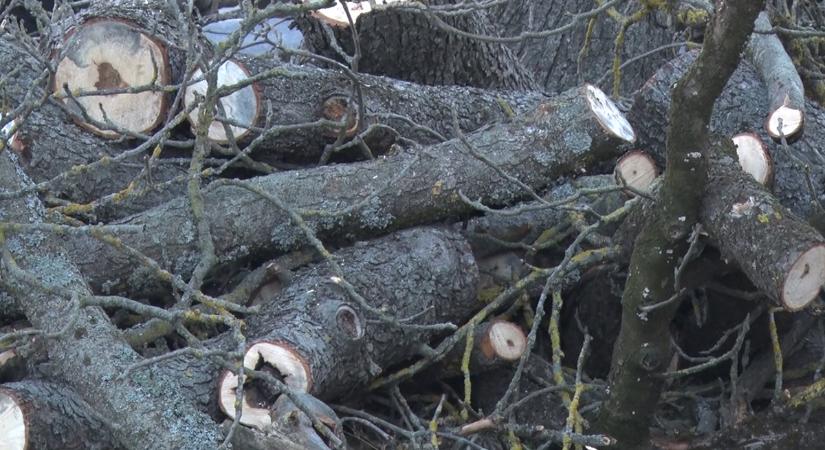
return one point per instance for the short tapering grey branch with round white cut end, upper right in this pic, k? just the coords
(786, 94)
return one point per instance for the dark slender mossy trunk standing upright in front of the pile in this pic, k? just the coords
(643, 349)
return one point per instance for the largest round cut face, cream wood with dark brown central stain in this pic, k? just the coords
(106, 55)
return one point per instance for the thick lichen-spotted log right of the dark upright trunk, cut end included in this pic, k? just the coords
(782, 255)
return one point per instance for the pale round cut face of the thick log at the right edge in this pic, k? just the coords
(805, 279)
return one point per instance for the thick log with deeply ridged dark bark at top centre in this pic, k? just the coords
(408, 45)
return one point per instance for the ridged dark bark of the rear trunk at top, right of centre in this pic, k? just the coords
(553, 60)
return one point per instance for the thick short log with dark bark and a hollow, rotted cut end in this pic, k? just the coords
(321, 341)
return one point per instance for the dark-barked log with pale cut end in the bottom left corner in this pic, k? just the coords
(44, 415)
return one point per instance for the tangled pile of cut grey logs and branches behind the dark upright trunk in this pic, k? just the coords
(192, 236)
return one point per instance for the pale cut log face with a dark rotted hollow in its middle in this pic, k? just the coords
(289, 365)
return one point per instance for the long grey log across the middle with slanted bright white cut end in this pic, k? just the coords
(569, 132)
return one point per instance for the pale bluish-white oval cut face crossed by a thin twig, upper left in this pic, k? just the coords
(242, 107)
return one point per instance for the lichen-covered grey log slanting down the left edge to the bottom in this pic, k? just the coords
(150, 412)
